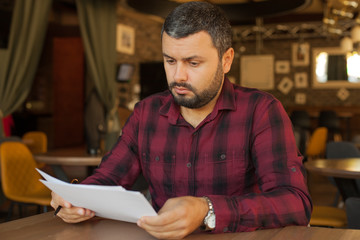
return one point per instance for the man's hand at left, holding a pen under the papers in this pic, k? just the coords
(69, 213)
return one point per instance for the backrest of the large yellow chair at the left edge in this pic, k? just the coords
(18, 174)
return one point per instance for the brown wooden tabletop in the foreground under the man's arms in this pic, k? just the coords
(47, 227)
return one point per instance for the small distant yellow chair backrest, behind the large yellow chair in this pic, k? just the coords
(36, 141)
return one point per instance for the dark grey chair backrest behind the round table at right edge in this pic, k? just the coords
(341, 150)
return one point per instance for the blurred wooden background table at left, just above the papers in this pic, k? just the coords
(76, 156)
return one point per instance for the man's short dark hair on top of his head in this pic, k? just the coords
(193, 17)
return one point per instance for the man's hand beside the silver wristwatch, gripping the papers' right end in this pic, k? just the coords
(177, 218)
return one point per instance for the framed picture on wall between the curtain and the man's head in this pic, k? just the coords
(125, 39)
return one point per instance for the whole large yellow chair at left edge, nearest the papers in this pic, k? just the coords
(19, 178)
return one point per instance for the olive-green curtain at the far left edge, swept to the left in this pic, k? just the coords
(18, 63)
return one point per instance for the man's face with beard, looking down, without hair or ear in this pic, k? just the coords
(193, 70)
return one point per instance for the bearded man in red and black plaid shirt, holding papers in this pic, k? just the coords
(214, 154)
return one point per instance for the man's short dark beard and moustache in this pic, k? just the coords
(202, 98)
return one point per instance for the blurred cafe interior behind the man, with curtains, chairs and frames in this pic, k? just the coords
(70, 77)
